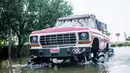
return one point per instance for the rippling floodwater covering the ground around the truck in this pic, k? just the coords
(120, 63)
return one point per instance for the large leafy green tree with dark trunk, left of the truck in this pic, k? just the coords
(25, 16)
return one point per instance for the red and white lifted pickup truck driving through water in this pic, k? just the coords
(76, 38)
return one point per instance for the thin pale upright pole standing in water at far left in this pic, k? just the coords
(9, 48)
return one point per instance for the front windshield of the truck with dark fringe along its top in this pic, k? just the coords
(76, 23)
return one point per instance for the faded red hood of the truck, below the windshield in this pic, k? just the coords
(59, 29)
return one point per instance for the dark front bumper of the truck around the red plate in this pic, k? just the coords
(63, 52)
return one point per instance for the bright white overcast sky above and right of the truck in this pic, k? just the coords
(115, 13)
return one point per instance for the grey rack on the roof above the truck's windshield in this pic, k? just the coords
(84, 16)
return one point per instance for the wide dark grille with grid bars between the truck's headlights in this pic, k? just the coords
(58, 39)
